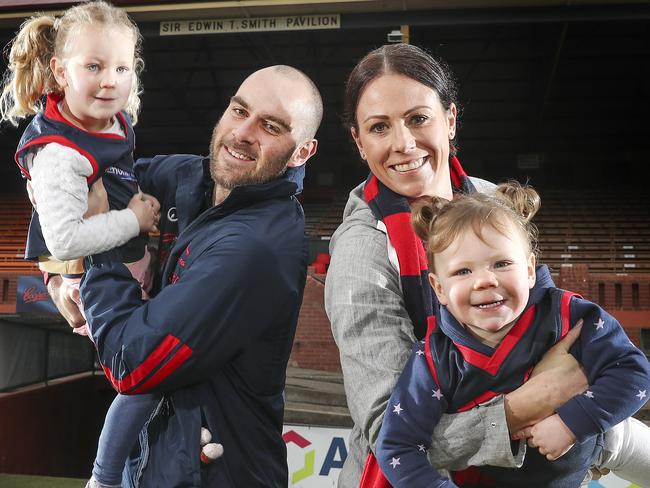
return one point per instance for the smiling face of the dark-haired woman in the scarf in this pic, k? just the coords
(403, 133)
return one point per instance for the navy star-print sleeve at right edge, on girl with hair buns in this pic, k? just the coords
(618, 373)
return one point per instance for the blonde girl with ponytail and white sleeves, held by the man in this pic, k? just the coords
(86, 64)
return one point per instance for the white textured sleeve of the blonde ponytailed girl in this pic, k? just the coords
(59, 180)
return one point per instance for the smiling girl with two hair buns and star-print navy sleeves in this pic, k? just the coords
(498, 314)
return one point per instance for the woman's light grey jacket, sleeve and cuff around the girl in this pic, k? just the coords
(374, 334)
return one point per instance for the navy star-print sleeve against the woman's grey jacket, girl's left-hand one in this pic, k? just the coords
(413, 411)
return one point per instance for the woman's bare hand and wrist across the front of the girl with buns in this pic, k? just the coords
(556, 378)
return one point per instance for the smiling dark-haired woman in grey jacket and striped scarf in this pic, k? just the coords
(402, 114)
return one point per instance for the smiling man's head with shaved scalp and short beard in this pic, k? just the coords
(268, 126)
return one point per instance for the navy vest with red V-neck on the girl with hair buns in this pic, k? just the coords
(468, 377)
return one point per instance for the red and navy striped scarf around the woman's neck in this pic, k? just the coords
(394, 211)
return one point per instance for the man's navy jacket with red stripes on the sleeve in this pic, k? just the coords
(216, 339)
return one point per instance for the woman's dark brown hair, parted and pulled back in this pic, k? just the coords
(401, 59)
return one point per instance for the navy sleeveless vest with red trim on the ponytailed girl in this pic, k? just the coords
(111, 156)
